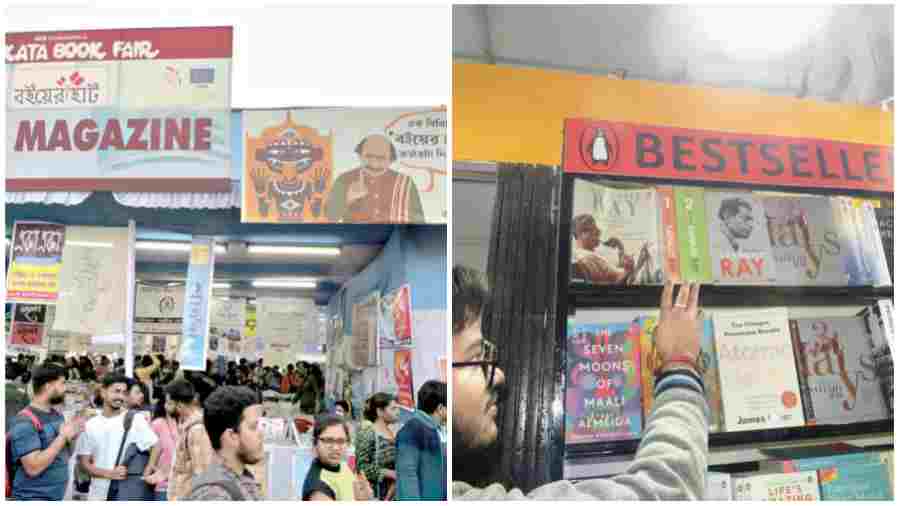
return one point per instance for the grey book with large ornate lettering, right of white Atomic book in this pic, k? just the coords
(836, 371)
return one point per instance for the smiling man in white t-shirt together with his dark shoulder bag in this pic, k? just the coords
(115, 445)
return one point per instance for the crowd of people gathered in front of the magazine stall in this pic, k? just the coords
(168, 434)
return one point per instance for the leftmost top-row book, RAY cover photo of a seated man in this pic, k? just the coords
(615, 238)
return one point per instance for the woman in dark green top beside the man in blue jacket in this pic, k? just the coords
(375, 445)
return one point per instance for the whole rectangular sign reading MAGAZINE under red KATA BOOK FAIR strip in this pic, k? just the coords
(105, 109)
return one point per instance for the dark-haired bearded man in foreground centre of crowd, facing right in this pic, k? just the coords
(231, 417)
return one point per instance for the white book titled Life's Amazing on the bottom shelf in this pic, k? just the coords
(802, 486)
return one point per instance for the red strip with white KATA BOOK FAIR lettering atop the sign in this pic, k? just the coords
(124, 44)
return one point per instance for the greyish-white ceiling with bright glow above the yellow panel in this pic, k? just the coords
(836, 53)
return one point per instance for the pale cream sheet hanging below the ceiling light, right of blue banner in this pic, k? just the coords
(280, 322)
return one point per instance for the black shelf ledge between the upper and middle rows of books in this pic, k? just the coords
(585, 295)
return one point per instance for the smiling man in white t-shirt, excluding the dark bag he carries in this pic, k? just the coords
(98, 447)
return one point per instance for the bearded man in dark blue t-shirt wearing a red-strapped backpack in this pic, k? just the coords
(38, 444)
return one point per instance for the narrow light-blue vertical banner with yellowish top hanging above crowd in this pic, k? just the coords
(195, 330)
